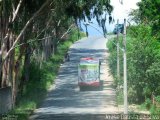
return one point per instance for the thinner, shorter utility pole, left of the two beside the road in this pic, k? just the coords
(118, 68)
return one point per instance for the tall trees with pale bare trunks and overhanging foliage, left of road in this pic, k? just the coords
(33, 29)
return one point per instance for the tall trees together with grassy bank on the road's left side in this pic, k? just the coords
(34, 36)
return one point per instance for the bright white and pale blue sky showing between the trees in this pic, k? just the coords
(120, 12)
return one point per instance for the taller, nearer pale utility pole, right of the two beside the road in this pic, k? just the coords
(125, 70)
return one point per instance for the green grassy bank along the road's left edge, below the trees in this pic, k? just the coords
(40, 80)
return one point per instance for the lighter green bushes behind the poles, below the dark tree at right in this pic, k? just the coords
(143, 63)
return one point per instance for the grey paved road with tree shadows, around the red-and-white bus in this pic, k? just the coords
(66, 102)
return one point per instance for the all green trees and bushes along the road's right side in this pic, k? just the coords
(143, 58)
